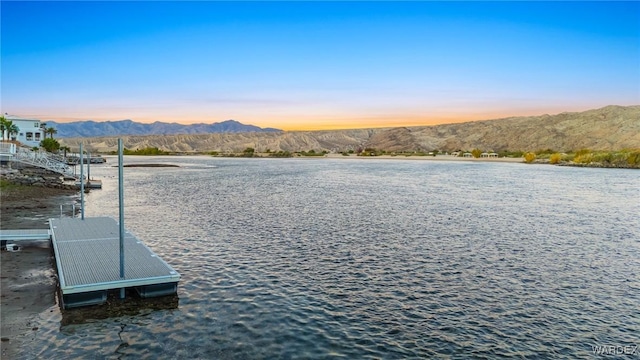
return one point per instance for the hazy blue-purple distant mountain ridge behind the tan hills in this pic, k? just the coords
(129, 127)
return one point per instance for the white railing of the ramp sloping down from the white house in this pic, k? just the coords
(38, 158)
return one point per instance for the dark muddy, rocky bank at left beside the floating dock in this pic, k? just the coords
(28, 282)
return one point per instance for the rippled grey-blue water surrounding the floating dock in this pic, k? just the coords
(371, 258)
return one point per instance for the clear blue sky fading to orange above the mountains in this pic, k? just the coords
(315, 65)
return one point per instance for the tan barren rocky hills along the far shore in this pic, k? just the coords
(608, 128)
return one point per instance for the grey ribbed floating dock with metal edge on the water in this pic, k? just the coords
(87, 253)
